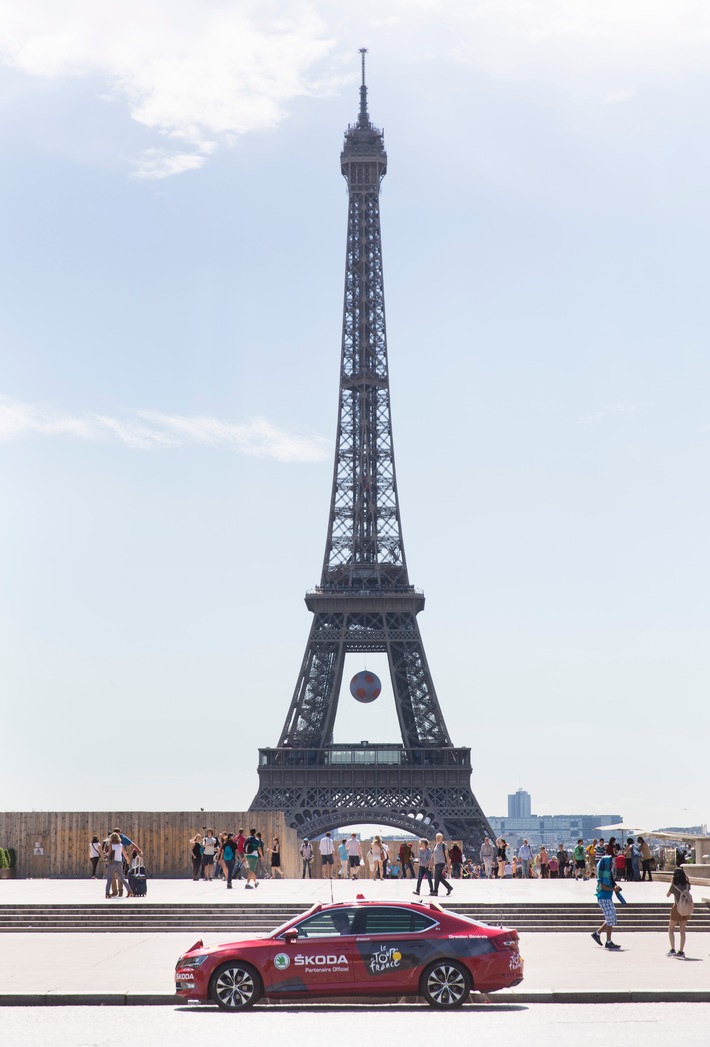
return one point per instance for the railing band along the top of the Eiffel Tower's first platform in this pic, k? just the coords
(343, 756)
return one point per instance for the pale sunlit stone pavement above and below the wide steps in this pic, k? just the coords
(136, 968)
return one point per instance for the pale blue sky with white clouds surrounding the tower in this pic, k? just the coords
(173, 221)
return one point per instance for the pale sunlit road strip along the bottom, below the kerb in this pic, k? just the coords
(585, 1026)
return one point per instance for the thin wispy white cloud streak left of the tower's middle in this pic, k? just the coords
(150, 430)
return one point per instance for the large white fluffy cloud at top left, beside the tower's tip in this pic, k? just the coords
(195, 73)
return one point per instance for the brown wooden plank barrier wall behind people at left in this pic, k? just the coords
(57, 843)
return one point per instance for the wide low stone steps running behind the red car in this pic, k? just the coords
(142, 917)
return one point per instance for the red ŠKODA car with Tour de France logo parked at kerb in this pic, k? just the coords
(357, 949)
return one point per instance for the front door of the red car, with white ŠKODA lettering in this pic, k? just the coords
(319, 961)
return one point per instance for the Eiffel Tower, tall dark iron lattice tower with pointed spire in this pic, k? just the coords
(365, 603)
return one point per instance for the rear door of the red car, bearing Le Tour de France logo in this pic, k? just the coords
(392, 946)
